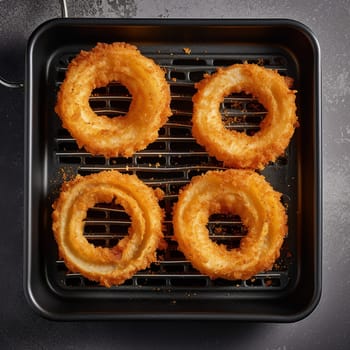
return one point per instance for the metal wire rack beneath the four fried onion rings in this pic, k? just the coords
(169, 163)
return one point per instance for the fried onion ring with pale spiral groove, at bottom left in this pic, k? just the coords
(108, 266)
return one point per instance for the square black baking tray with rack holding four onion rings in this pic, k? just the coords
(172, 288)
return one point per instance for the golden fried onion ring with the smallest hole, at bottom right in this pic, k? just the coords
(235, 191)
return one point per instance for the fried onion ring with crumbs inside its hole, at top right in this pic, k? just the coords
(237, 149)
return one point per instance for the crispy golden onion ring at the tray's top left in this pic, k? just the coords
(148, 111)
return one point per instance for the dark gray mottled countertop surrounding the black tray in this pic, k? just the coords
(326, 328)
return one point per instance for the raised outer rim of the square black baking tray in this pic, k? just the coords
(29, 292)
